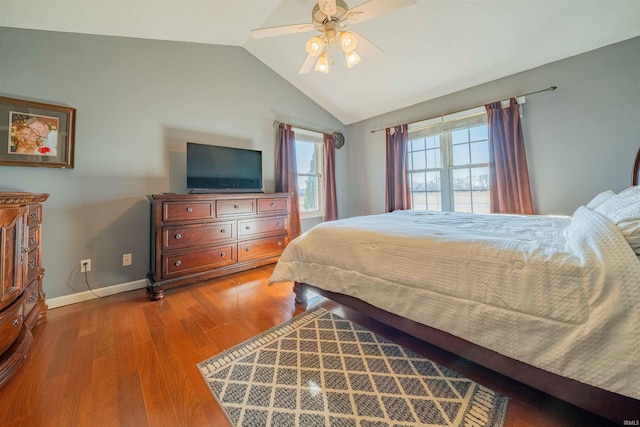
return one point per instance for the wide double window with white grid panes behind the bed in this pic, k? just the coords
(448, 163)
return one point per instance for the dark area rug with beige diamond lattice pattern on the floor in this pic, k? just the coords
(319, 369)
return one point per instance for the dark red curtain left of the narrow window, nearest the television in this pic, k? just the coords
(286, 173)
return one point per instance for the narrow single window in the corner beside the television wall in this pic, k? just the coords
(309, 158)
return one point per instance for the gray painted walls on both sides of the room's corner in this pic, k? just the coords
(139, 101)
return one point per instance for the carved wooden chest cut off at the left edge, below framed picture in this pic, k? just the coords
(21, 298)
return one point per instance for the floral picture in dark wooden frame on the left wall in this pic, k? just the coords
(36, 134)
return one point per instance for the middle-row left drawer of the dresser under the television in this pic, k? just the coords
(176, 237)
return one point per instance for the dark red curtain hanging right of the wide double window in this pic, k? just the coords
(508, 172)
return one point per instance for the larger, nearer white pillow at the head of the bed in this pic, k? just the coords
(624, 210)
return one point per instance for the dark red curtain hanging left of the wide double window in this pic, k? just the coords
(397, 189)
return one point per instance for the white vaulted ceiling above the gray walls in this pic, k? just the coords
(432, 48)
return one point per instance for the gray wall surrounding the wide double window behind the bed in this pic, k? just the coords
(580, 139)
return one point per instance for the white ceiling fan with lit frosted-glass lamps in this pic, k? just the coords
(330, 18)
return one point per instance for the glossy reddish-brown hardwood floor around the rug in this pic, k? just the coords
(126, 361)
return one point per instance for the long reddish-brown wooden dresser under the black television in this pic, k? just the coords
(196, 237)
